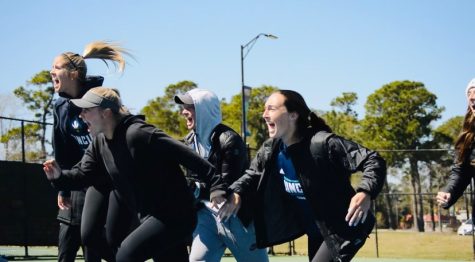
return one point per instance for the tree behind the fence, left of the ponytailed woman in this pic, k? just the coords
(38, 98)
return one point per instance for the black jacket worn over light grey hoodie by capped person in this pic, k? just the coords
(229, 156)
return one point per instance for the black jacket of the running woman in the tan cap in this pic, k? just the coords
(143, 165)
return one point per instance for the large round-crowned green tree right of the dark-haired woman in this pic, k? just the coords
(398, 116)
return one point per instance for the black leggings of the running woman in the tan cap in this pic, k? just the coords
(125, 238)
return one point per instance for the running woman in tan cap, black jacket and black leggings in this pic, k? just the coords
(151, 213)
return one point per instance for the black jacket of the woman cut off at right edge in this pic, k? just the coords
(461, 174)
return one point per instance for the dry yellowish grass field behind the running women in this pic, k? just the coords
(394, 246)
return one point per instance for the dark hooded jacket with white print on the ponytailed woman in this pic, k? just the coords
(70, 141)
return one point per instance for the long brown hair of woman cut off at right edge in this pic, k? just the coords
(464, 142)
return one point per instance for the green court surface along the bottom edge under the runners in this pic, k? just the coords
(17, 253)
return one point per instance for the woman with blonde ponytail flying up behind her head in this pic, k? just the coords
(71, 138)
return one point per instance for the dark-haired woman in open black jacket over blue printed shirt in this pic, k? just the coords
(301, 176)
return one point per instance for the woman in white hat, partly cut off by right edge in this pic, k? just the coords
(463, 168)
